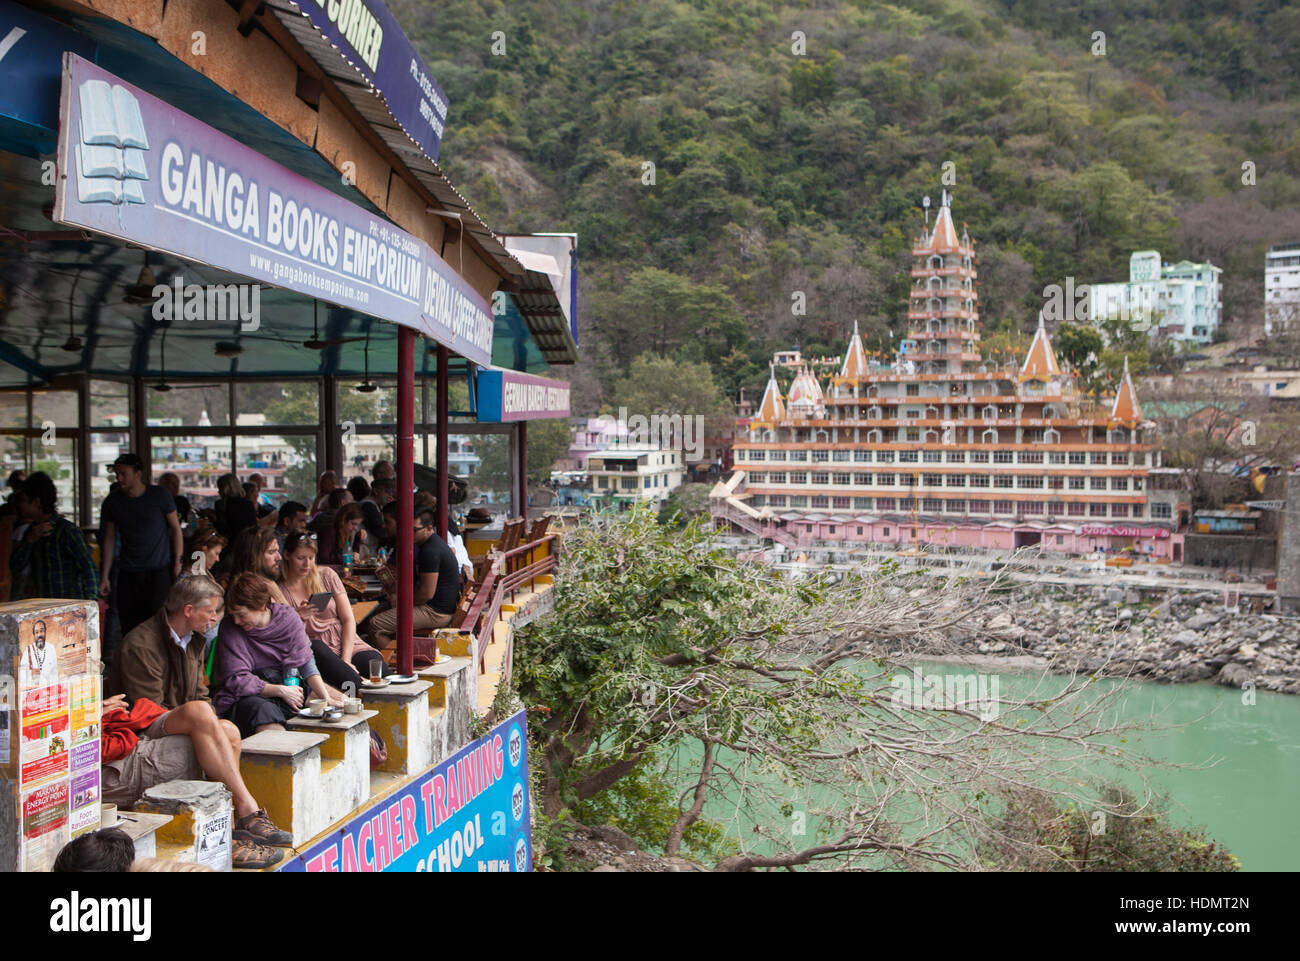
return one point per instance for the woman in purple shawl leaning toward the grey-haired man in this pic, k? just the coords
(261, 642)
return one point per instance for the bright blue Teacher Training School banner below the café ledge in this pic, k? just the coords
(470, 813)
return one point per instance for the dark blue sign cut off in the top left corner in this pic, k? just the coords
(32, 58)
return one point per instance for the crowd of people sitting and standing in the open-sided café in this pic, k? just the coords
(229, 617)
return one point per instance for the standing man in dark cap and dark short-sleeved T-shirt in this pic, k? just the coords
(144, 517)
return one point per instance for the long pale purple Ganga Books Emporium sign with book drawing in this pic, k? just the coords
(136, 168)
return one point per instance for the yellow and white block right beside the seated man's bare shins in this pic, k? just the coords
(284, 770)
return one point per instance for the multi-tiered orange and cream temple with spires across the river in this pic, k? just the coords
(938, 447)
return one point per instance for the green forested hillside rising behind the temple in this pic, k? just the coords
(778, 172)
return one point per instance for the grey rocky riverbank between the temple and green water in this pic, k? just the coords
(1116, 633)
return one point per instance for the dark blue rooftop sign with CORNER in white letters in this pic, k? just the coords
(371, 40)
